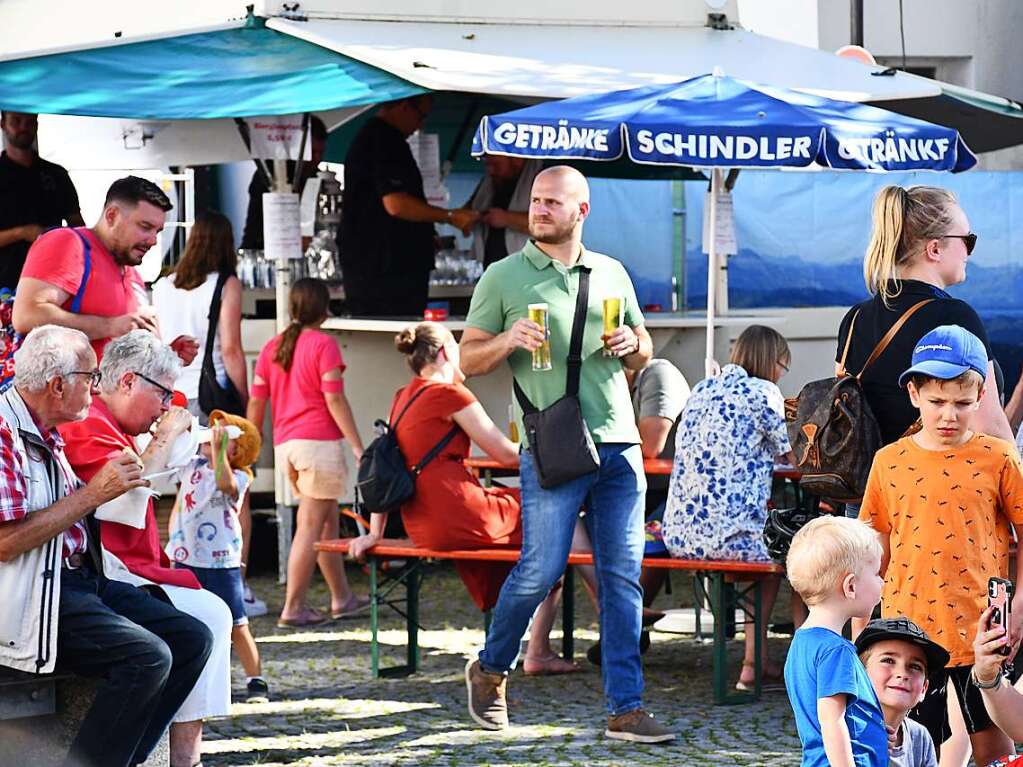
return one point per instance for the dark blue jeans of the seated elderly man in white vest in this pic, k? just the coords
(147, 655)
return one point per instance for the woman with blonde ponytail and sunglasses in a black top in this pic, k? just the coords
(919, 247)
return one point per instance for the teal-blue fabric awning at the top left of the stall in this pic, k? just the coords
(236, 73)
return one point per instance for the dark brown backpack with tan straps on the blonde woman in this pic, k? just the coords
(833, 432)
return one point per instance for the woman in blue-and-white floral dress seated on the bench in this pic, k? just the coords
(730, 434)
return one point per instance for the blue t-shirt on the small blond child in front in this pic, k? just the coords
(822, 664)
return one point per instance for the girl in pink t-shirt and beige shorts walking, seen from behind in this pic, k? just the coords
(300, 372)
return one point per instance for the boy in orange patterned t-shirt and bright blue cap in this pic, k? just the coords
(943, 502)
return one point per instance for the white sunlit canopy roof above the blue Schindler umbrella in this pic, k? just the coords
(551, 61)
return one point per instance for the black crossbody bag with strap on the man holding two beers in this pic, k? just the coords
(559, 439)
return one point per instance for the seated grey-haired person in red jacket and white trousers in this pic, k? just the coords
(138, 375)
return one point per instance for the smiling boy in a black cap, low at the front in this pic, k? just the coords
(899, 658)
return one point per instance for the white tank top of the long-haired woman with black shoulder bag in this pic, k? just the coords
(188, 313)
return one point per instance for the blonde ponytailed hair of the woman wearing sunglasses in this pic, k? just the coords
(903, 221)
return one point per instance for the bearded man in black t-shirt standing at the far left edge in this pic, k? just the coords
(35, 195)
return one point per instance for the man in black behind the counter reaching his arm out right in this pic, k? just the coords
(387, 233)
